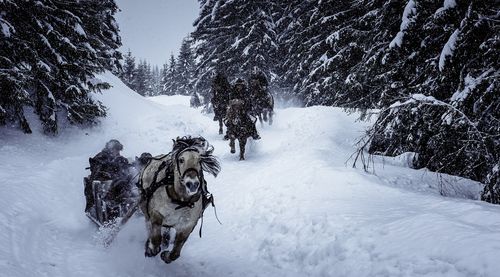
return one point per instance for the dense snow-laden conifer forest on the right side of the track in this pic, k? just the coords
(427, 69)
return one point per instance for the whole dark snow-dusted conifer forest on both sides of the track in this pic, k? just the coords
(427, 70)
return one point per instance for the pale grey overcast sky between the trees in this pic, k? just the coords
(153, 29)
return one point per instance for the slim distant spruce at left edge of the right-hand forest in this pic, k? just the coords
(184, 68)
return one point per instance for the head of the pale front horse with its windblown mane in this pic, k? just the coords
(192, 156)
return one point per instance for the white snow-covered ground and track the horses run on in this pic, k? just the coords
(293, 208)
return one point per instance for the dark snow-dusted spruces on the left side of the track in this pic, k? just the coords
(49, 55)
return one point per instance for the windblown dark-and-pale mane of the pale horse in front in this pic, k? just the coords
(209, 163)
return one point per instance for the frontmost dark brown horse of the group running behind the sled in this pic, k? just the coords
(239, 125)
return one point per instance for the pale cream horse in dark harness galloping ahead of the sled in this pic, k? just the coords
(174, 193)
